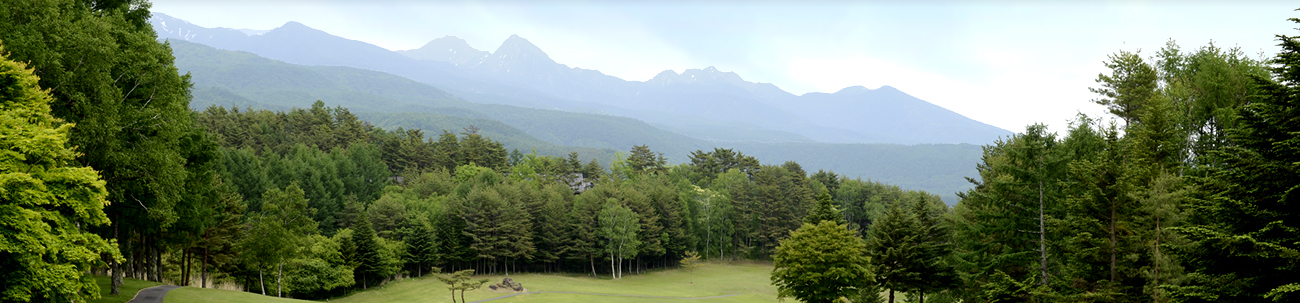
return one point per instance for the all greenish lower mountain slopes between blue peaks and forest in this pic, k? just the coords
(240, 79)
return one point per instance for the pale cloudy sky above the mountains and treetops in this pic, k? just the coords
(1008, 64)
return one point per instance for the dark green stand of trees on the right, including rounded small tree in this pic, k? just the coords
(1185, 193)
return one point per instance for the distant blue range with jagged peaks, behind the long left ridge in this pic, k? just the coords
(890, 116)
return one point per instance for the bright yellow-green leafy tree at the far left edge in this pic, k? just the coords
(47, 201)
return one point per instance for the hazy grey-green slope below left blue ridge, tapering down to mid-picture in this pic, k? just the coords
(245, 80)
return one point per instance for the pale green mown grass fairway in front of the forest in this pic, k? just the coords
(747, 279)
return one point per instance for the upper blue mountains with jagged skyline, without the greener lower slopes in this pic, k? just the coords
(701, 103)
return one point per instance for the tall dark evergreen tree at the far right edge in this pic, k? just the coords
(1243, 241)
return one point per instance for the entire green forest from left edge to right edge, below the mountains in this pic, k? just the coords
(1184, 193)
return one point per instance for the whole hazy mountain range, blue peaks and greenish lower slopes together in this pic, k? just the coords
(522, 98)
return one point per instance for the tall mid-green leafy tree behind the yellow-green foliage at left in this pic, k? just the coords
(111, 76)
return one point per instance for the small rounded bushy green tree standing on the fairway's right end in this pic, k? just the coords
(821, 263)
